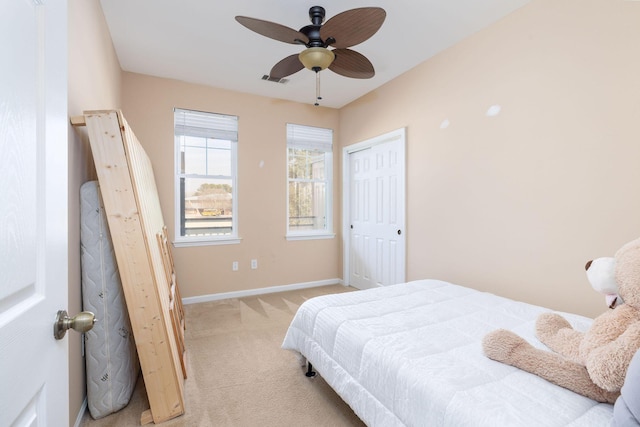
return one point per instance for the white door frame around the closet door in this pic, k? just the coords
(398, 134)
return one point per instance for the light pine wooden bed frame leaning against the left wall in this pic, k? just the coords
(144, 259)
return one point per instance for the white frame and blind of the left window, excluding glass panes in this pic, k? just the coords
(206, 125)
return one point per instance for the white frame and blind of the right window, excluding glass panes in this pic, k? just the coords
(309, 137)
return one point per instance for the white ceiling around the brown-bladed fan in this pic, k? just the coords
(199, 41)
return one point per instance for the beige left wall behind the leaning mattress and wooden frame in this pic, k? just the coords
(94, 83)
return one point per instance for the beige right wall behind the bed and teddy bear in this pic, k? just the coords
(517, 203)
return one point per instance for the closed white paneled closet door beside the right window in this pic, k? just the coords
(375, 211)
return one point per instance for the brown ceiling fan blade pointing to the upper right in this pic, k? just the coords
(353, 26)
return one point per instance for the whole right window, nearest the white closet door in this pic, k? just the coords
(309, 189)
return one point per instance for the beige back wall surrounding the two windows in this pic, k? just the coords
(148, 104)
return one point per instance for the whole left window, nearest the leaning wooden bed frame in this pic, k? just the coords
(206, 181)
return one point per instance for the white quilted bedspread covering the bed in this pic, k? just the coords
(411, 355)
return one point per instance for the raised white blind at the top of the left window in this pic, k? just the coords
(205, 125)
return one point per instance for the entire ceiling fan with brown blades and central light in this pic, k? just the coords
(340, 32)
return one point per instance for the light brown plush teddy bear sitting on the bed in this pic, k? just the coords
(591, 363)
